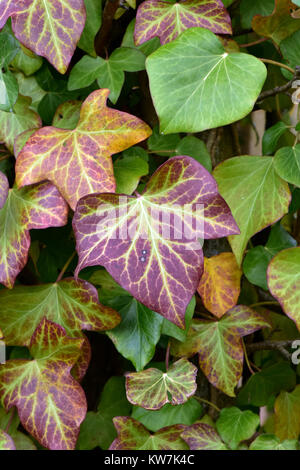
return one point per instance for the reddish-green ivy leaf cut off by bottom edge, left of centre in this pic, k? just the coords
(132, 435)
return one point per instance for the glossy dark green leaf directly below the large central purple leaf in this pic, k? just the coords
(138, 333)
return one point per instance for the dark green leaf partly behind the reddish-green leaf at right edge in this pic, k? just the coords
(258, 258)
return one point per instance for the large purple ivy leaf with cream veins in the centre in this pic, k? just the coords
(160, 269)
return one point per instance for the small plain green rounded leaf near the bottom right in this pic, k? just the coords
(235, 426)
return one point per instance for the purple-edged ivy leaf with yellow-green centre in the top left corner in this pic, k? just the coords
(60, 25)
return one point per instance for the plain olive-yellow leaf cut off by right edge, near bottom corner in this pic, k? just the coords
(287, 415)
